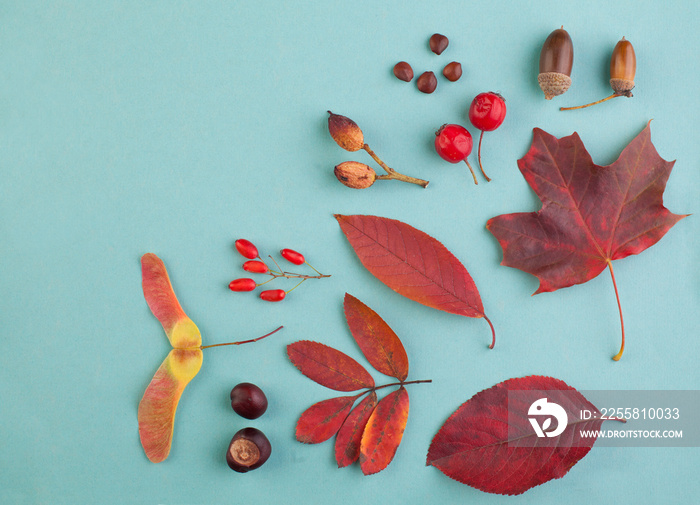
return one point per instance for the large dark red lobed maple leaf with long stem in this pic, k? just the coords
(590, 215)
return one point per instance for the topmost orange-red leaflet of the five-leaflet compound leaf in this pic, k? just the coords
(378, 342)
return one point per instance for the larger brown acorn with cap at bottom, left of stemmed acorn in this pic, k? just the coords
(556, 60)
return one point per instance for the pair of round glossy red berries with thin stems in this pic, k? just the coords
(454, 142)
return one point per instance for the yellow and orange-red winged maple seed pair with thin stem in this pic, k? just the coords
(156, 413)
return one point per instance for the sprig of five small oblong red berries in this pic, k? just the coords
(256, 265)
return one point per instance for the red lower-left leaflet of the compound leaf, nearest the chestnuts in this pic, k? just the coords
(322, 420)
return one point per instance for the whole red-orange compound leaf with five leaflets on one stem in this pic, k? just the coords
(371, 431)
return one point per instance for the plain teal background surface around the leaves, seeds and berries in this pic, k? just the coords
(177, 127)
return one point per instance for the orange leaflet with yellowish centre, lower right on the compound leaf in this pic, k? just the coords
(383, 432)
